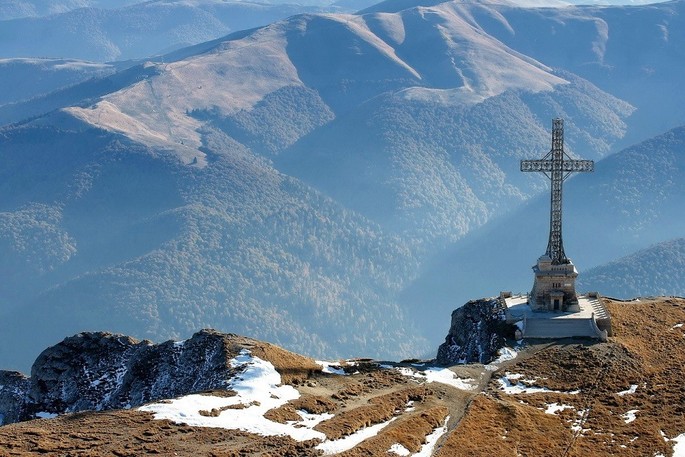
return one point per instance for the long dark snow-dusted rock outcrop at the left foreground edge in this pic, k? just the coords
(102, 371)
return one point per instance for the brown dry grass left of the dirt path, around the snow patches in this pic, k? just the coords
(368, 397)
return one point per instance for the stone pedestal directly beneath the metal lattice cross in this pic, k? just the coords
(554, 288)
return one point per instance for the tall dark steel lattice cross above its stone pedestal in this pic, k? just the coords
(557, 166)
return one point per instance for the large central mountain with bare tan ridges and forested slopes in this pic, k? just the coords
(280, 186)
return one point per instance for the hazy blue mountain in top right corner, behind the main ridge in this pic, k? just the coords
(633, 52)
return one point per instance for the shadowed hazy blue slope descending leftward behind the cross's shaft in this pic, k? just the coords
(632, 201)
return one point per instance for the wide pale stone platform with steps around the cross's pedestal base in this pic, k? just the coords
(592, 321)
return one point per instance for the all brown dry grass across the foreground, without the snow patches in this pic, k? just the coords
(648, 350)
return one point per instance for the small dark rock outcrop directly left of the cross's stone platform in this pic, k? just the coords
(477, 332)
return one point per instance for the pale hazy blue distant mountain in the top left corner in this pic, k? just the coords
(136, 31)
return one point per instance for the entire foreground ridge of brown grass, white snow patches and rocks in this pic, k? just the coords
(626, 387)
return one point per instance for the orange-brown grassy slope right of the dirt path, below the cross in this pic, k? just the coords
(648, 350)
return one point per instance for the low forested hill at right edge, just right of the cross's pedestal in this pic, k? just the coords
(656, 270)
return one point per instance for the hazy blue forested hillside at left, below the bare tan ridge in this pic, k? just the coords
(101, 233)
